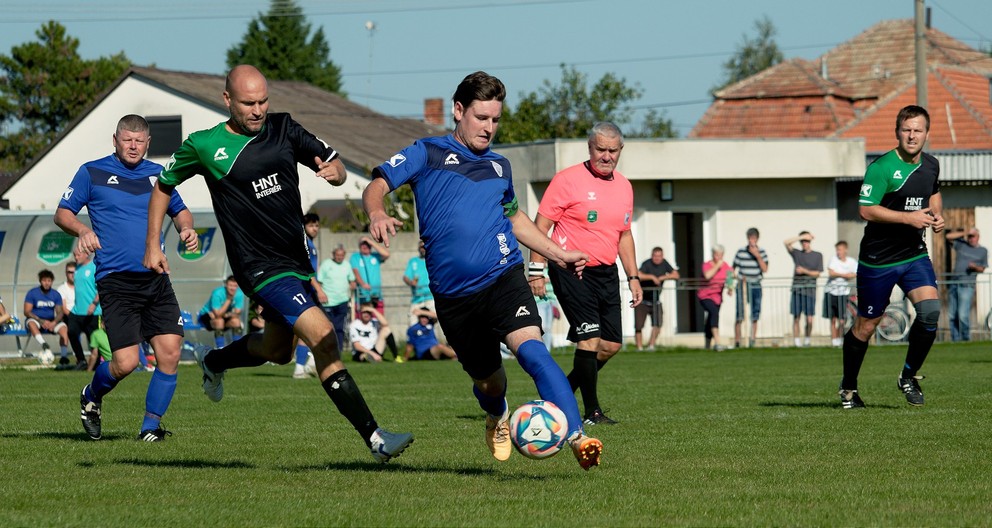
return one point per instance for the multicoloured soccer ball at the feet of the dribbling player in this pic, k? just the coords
(538, 429)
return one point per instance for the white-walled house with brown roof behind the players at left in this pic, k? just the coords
(178, 103)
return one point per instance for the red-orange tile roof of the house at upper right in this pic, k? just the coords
(868, 78)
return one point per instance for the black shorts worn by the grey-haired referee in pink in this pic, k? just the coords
(591, 304)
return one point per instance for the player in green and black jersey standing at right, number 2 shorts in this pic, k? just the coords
(900, 199)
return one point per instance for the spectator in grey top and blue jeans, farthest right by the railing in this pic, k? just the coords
(970, 259)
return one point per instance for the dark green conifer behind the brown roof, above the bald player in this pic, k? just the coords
(276, 43)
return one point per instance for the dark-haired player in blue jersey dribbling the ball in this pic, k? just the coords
(471, 224)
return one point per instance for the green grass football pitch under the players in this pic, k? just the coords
(749, 438)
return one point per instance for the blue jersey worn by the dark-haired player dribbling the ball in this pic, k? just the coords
(464, 201)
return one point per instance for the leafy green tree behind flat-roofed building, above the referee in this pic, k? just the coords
(571, 108)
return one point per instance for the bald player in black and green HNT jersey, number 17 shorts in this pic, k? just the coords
(250, 166)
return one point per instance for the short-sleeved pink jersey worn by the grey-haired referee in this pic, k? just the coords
(589, 213)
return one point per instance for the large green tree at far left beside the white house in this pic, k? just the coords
(43, 86)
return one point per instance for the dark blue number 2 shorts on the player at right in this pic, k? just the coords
(875, 284)
